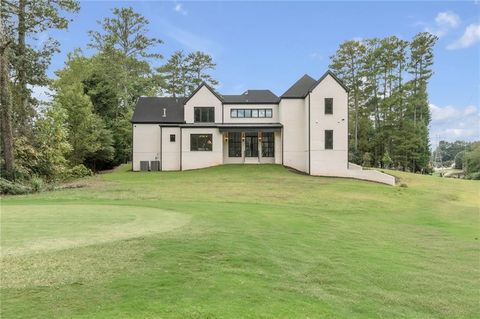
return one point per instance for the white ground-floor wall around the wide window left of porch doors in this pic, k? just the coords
(199, 159)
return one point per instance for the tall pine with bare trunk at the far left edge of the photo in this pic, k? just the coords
(22, 64)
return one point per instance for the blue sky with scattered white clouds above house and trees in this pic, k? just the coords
(269, 45)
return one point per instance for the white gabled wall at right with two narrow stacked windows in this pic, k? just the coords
(327, 162)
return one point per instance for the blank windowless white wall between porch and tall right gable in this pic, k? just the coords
(292, 116)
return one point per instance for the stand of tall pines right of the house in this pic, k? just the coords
(388, 100)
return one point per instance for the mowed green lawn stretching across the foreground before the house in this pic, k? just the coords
(243, 242)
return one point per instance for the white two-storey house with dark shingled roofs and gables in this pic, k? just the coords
(306, 128)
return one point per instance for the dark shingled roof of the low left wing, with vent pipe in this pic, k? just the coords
(151, 110)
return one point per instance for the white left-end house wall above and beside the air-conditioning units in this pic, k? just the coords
(146, 144)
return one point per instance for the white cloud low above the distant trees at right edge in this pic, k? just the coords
(454, 123)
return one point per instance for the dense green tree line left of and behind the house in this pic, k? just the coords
(86, 126)
